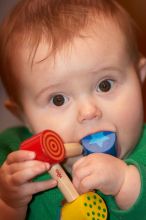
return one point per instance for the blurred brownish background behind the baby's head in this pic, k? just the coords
(137, 9)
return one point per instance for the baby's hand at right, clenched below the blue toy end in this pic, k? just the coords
(99, 171)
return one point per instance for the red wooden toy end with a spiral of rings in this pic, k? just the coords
(47, 145)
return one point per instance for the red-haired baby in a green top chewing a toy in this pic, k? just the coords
(72, 67)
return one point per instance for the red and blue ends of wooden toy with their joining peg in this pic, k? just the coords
(49, 146)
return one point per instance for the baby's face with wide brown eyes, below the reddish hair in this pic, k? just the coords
(92, 86)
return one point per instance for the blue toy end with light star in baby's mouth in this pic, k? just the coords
(100, 142)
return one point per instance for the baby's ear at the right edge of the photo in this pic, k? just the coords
(142, 69)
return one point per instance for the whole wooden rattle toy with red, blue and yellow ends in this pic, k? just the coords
(49, 147)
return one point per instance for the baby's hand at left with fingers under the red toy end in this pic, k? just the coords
(16, 174)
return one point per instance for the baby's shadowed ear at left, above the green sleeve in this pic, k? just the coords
(14, 108)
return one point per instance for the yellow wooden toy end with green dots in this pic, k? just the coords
(89, 206)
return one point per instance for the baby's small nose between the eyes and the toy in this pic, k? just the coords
(88, 110)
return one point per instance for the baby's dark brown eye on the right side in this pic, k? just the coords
(105, 85)
